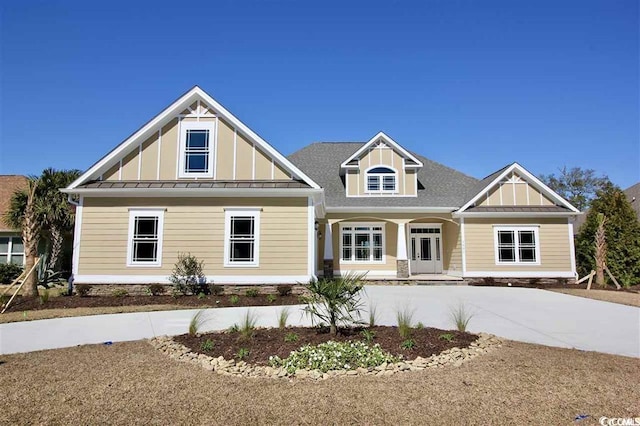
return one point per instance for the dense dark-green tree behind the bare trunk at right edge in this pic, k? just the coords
(622, 235)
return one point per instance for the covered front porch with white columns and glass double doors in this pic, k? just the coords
(391, 246)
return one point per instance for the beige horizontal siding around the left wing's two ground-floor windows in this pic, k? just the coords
(194, 225)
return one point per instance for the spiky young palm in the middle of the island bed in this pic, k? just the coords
(335, 302)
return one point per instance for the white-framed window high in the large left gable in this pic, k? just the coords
(196, 149)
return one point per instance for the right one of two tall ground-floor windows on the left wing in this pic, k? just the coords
(241, 237)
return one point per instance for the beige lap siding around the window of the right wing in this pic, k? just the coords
(555, 252)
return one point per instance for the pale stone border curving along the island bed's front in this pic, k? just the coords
(454, 356)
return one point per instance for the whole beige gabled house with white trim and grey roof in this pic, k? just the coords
(196, 179)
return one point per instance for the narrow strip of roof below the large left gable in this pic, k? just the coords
(200, 183)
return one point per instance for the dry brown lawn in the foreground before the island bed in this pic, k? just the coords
(128, 383)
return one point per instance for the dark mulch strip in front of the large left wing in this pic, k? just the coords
(69, 302)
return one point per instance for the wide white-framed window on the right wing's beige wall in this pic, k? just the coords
(517, 245)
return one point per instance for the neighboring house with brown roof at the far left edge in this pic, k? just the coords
(11, 248)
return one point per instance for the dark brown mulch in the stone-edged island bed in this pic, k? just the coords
(267, 342)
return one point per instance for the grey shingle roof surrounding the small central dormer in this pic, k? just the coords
(438, 185)
